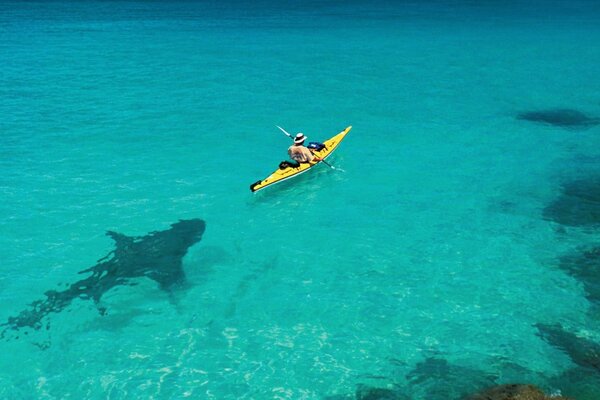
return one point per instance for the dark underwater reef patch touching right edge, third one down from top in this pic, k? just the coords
(585, 267)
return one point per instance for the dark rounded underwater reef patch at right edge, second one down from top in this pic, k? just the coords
(577, 205)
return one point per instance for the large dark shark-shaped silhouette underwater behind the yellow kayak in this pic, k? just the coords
(157, 255)
